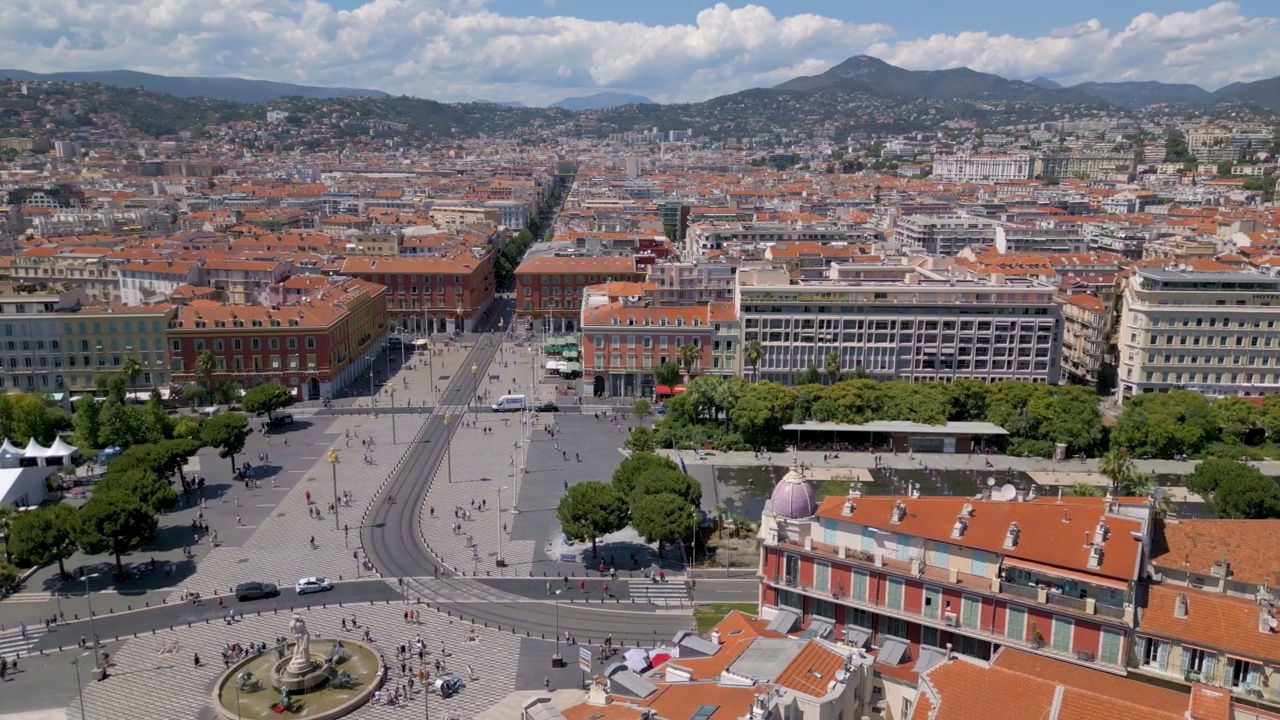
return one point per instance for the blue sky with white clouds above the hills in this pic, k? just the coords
(538, 52)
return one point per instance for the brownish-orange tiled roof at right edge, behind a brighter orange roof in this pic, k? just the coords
(1197, 545)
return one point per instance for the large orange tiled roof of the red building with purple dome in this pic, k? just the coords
(1052, 532)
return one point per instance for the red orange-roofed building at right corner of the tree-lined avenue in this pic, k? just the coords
(550, 288)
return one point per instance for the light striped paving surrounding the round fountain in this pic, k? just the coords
(161, 668)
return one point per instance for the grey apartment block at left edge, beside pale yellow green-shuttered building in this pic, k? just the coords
(31, 343)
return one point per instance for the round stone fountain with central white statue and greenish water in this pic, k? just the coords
(323, 681)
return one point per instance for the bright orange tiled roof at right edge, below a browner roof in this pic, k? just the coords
(1214, 622)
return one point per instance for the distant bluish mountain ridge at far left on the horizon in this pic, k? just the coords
(239, 90)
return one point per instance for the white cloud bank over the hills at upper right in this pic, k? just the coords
(1212, 47)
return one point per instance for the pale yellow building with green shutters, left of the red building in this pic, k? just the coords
(98, 340)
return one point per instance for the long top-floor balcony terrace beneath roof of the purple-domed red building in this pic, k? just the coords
(973, 585)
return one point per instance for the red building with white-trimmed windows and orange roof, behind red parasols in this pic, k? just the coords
(627, 338)
